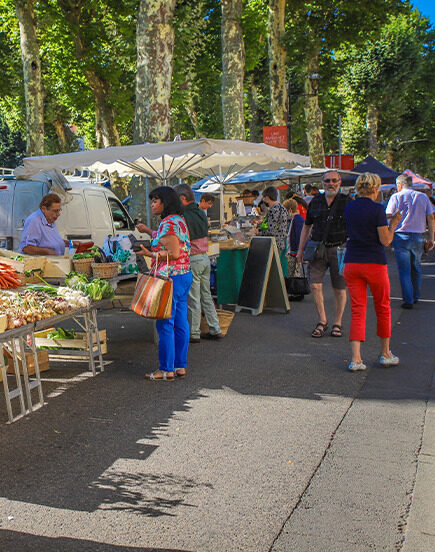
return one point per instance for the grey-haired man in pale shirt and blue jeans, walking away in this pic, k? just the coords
(408, 243)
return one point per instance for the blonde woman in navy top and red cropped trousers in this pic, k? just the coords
(366, 265)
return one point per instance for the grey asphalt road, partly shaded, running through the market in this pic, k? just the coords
(268, 445)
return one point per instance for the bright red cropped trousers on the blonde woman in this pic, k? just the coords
(358, 276)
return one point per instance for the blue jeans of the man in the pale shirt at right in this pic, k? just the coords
(408, 248)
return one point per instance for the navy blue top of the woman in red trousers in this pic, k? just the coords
(363, 217)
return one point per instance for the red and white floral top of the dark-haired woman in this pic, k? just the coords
(173, 225)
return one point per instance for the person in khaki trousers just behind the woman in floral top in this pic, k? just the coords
(200, 298)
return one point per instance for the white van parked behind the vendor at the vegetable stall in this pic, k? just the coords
(89, 211)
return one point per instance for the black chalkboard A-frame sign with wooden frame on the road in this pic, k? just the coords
(263, 281)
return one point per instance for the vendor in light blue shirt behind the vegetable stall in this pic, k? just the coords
(40, 235)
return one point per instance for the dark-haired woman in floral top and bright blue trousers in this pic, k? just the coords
(170, 250)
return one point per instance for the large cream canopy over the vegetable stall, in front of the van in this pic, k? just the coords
(201, 158)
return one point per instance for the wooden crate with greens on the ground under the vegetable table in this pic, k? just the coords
(70, 348)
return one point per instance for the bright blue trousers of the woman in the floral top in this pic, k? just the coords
(174, 332)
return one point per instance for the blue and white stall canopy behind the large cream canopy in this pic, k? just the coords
(256, 180)
